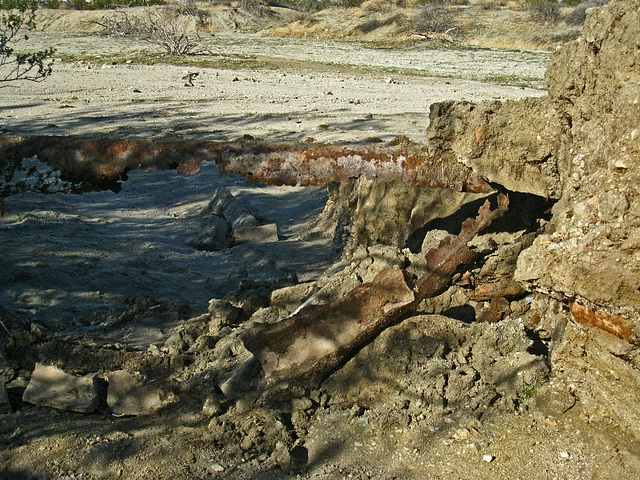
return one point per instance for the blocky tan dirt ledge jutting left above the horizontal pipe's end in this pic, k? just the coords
(516, 144)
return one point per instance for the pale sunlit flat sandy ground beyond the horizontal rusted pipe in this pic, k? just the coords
(279, 89)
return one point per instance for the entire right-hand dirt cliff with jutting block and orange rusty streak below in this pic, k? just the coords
(580, 146)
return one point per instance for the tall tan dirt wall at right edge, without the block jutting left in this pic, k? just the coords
(591, 253)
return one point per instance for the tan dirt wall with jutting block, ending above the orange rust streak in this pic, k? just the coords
(580, 145)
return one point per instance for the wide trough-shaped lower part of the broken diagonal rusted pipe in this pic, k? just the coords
(307, 345)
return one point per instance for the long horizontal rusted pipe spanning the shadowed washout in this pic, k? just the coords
(100, 160)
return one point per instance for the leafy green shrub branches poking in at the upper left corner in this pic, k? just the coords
(14, 28)
